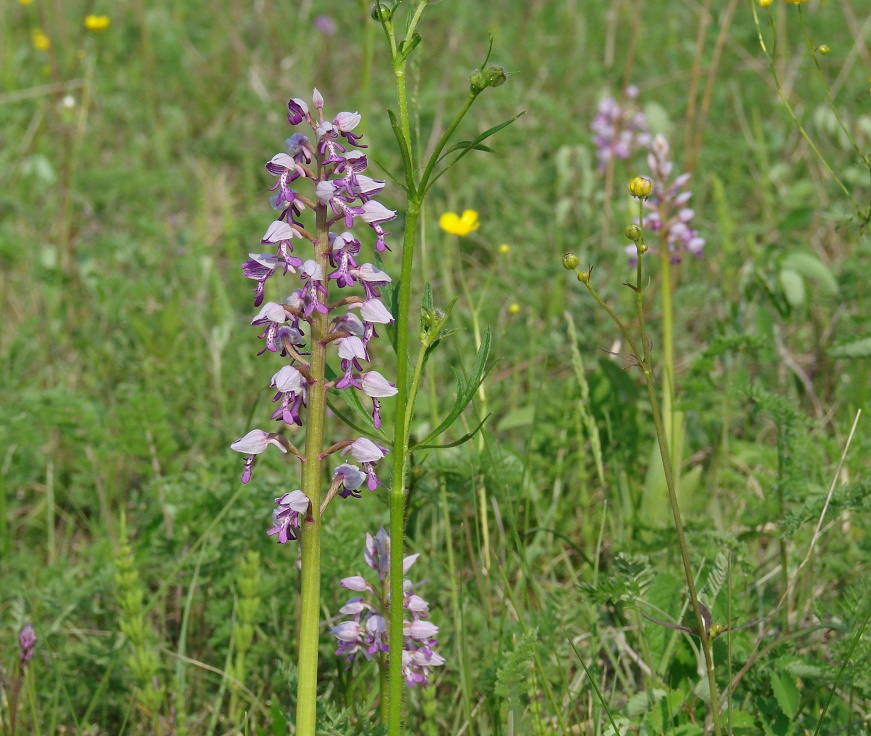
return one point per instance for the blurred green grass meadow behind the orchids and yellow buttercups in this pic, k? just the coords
(133, 187)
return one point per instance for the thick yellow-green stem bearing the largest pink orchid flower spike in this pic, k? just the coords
(310, 537)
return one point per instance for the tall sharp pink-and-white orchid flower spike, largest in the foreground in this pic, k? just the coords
(331, 162)
